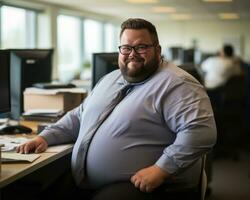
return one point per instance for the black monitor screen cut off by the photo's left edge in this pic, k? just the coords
(4, 84)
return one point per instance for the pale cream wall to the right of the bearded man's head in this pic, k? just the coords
(209, 35)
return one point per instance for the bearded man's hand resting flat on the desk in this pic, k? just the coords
(36, 145)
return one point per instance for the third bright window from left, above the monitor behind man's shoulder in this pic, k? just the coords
(93, 38)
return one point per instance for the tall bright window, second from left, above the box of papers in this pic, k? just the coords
(69, 46)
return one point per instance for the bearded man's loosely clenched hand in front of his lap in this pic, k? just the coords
(149, 178)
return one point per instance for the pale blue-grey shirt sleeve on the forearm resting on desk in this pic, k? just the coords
(65, 130)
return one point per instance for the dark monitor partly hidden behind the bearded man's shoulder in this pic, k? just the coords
(103, 63)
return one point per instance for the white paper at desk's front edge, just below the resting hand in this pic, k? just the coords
(15, 157)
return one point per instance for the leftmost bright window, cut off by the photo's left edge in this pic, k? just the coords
(18, 27)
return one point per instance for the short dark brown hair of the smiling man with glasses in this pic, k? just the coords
(137, 23)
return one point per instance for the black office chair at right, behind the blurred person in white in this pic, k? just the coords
(230, 117)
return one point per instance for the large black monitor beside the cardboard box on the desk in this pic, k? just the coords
(18, 75)
